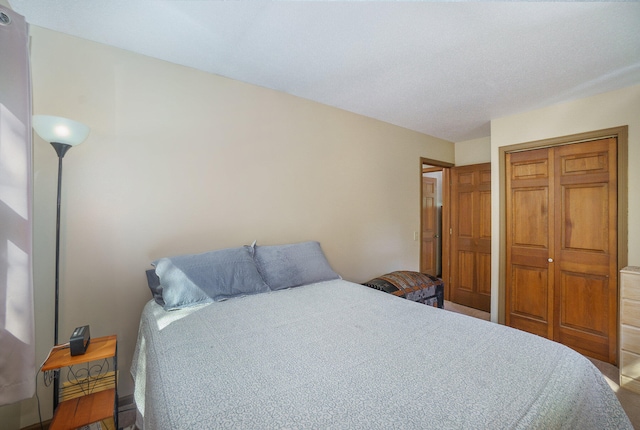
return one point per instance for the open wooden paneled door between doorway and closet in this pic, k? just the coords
(470, 264)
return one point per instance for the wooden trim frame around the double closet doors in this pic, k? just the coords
(621, 133)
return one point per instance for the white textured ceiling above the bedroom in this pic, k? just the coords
(441, 68)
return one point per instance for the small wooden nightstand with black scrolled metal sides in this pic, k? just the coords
(90, 393)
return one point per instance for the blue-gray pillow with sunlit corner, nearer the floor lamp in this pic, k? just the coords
(188, 280)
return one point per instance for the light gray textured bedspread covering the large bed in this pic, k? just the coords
(338, 355)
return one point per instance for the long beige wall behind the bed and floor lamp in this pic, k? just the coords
(181, 161)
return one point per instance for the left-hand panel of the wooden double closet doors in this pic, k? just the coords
(530, 233)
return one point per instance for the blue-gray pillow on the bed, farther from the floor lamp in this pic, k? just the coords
(285, 266)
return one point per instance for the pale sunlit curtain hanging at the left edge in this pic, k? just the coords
(17, 338)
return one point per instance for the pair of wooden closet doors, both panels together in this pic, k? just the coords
(562, 272)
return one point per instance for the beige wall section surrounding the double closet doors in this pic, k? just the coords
(613, 109)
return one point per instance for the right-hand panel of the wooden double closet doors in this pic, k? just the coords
(585, 256)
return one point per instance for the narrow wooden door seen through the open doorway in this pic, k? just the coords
(429, 226)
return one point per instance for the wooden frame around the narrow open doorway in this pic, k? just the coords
(446, 178)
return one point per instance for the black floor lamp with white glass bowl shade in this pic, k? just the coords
(62, 133)
